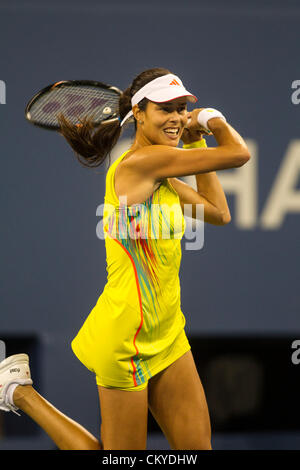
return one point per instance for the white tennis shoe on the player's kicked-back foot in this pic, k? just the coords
(14, 371)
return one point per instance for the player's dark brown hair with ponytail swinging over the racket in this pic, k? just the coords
(91, 145)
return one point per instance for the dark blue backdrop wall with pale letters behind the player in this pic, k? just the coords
(240, 57)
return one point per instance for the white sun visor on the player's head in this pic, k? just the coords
(161, 89)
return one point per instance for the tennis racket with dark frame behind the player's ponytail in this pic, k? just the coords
(75, 99)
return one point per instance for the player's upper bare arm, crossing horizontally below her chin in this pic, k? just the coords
(162, 161)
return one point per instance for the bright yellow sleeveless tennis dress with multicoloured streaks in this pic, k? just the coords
(136, 328)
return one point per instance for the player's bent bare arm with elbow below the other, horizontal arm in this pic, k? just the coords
(216, 210)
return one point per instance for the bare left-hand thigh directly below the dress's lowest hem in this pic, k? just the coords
(124, 416)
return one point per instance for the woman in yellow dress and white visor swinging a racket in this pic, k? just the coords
(134, 340)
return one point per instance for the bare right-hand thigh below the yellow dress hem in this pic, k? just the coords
(177, 402)
